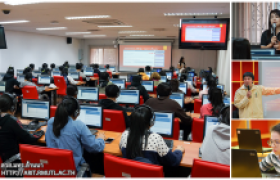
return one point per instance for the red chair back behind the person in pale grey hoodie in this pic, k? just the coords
(206, 169)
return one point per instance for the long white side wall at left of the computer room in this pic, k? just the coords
(25, 48)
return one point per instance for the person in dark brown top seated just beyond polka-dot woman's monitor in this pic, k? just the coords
(164, 103)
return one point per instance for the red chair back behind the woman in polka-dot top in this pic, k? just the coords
(121, 167)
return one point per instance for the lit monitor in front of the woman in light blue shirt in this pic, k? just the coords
(91, 115)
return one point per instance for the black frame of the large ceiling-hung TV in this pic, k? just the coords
(201, 46)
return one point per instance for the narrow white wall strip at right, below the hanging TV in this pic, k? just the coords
(223, 68)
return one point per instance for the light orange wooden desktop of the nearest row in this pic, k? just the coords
(191, 149)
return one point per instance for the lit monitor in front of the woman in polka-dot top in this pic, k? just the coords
(163, 124)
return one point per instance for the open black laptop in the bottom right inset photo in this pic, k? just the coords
(250, 139)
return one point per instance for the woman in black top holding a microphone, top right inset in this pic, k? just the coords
(269, 40)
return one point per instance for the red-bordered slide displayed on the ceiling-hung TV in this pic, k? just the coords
(208, 33)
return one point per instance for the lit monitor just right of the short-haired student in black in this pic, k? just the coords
(129, 97)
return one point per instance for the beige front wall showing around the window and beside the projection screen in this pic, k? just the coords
(196, 59)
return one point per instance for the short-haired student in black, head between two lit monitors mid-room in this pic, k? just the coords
(112, 92)
